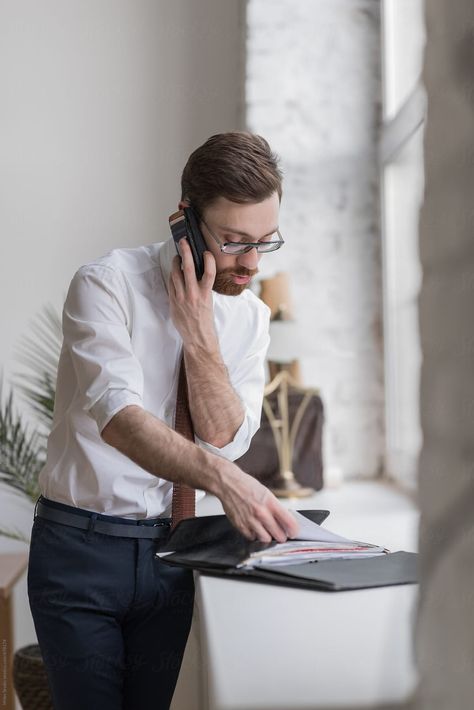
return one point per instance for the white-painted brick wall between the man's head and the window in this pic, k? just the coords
(313, 89)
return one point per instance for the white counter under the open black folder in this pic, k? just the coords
(263, 647)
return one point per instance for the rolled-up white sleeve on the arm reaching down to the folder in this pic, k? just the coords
(96, 330)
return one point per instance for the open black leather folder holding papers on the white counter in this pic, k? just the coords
(212, 546)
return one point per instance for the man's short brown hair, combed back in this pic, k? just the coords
(237, 165)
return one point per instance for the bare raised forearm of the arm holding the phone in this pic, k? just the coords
(216, 409)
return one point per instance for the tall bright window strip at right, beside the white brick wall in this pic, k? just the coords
(401, 163)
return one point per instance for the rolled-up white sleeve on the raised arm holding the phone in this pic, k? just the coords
(247, 377)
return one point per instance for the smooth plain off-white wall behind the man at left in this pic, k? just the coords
(101, 103)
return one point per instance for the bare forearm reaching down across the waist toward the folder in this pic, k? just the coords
(163, 452)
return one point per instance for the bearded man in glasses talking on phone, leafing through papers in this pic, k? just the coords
(112, 620)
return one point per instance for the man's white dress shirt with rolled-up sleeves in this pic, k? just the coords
(120, 347)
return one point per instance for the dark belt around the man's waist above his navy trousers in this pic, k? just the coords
(91, 522)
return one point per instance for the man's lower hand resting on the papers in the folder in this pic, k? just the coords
(253, 509)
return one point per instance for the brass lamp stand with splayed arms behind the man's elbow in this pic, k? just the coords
(285, 432)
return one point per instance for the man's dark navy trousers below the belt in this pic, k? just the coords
(112, 620)
